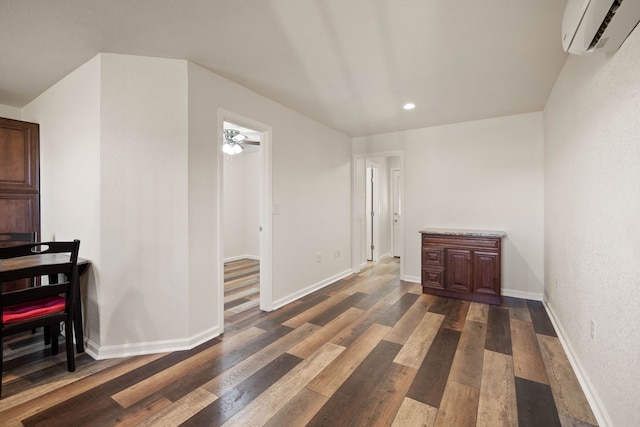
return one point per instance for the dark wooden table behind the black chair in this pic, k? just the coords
(49, 259)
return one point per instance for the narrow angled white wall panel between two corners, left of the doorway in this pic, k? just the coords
(144, 189)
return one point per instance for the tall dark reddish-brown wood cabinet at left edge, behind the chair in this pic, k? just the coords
(19, 177)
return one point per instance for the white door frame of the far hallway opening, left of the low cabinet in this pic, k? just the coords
(358, 169)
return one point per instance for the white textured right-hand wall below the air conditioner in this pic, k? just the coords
(592, 231)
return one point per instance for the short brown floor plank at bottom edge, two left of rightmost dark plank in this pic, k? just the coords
(459, 406)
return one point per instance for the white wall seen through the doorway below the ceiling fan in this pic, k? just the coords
(241, 206)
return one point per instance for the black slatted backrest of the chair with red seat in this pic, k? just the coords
(34, 260)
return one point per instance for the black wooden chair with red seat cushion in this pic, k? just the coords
(46, 305)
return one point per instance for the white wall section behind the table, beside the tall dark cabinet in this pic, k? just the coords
(69, 118)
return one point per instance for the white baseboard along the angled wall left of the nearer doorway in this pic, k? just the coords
(99, 352)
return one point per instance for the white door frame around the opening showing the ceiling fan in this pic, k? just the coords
(266, 220)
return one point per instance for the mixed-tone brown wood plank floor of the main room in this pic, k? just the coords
(367, 350)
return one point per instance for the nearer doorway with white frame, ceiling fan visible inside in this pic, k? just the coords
(244, 226)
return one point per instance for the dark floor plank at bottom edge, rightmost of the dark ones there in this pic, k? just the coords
(535, 404)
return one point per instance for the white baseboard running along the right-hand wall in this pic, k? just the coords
(590, 392)
